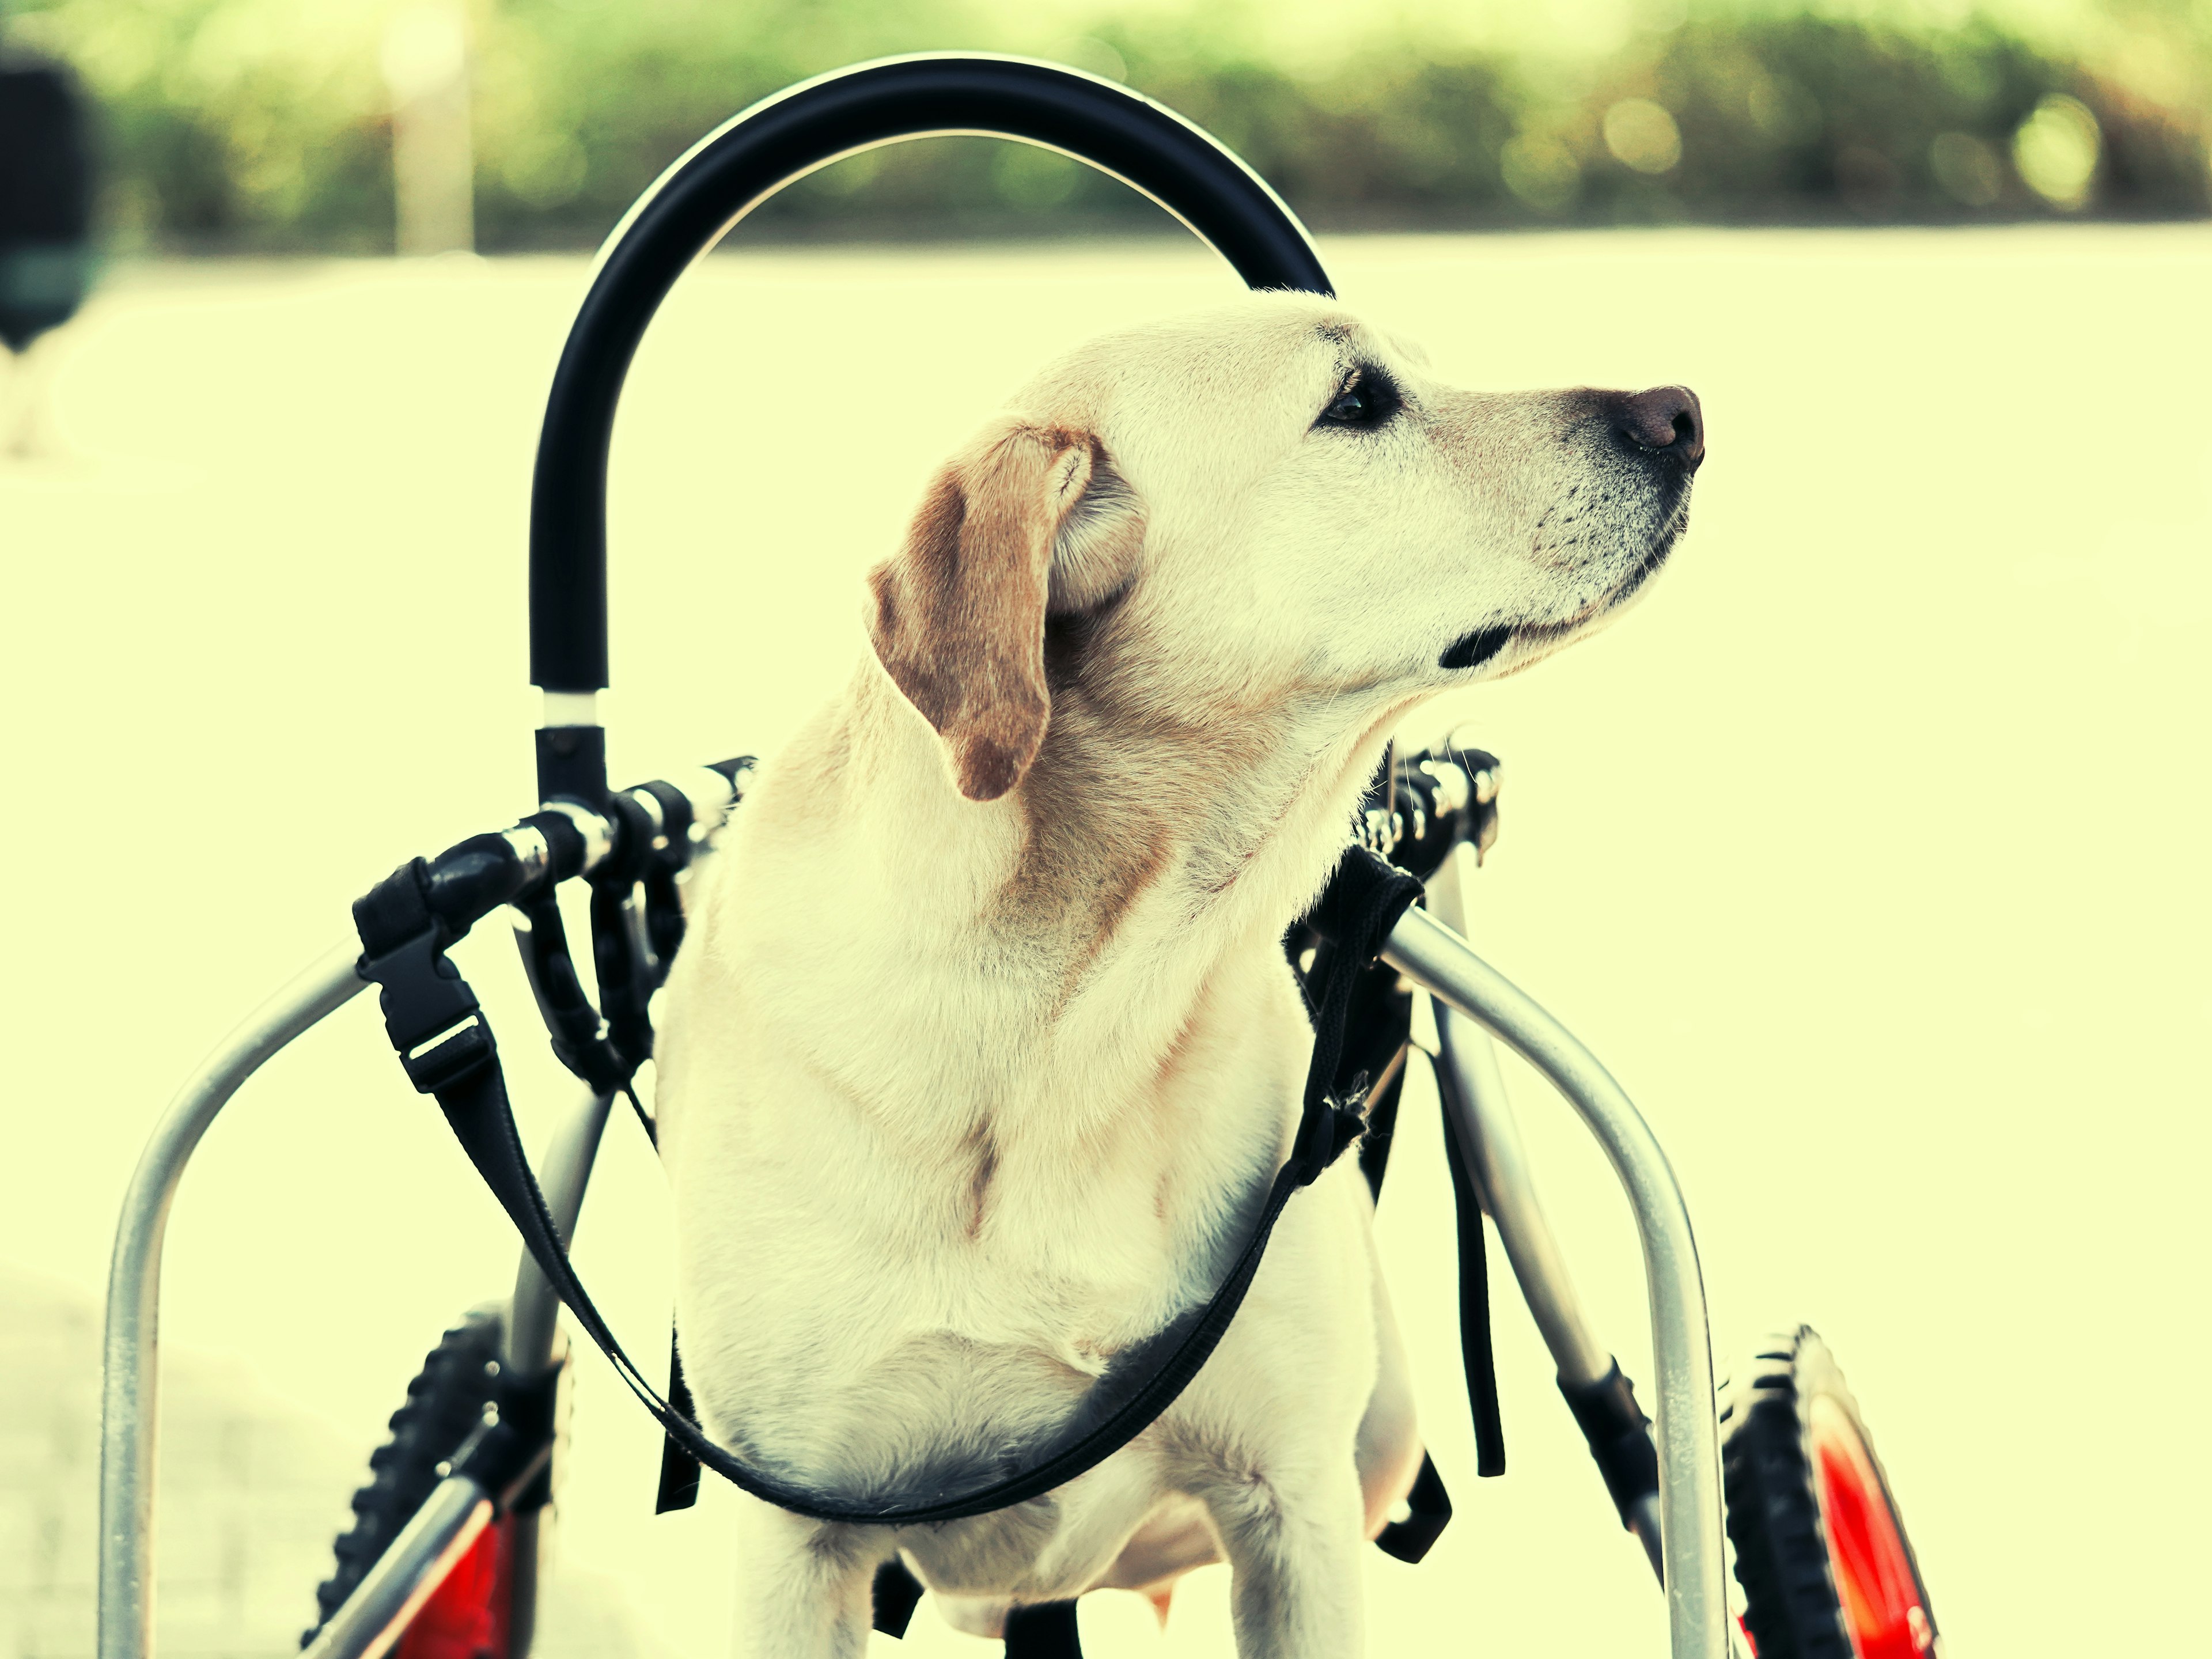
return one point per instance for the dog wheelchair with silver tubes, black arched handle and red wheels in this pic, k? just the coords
(446, 1545)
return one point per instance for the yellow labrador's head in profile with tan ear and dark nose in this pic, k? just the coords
(1269, 505)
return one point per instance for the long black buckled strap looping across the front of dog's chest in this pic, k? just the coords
(448, 1050)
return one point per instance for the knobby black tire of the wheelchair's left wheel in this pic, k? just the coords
(444, 1404)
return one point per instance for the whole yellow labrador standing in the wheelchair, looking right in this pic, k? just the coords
(983, 1050)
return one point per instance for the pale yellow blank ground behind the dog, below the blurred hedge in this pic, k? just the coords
(1866, 853)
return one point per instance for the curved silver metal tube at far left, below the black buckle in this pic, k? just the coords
(129, 1381)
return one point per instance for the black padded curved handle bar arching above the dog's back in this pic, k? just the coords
(780, 140)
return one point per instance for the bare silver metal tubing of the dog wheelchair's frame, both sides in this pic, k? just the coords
(1421, 948)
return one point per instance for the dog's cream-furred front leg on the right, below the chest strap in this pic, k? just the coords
(1293, 1538)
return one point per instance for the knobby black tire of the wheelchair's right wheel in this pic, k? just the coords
(1775, 1510)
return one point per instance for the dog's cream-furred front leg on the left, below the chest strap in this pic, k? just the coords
(804, 1587)
